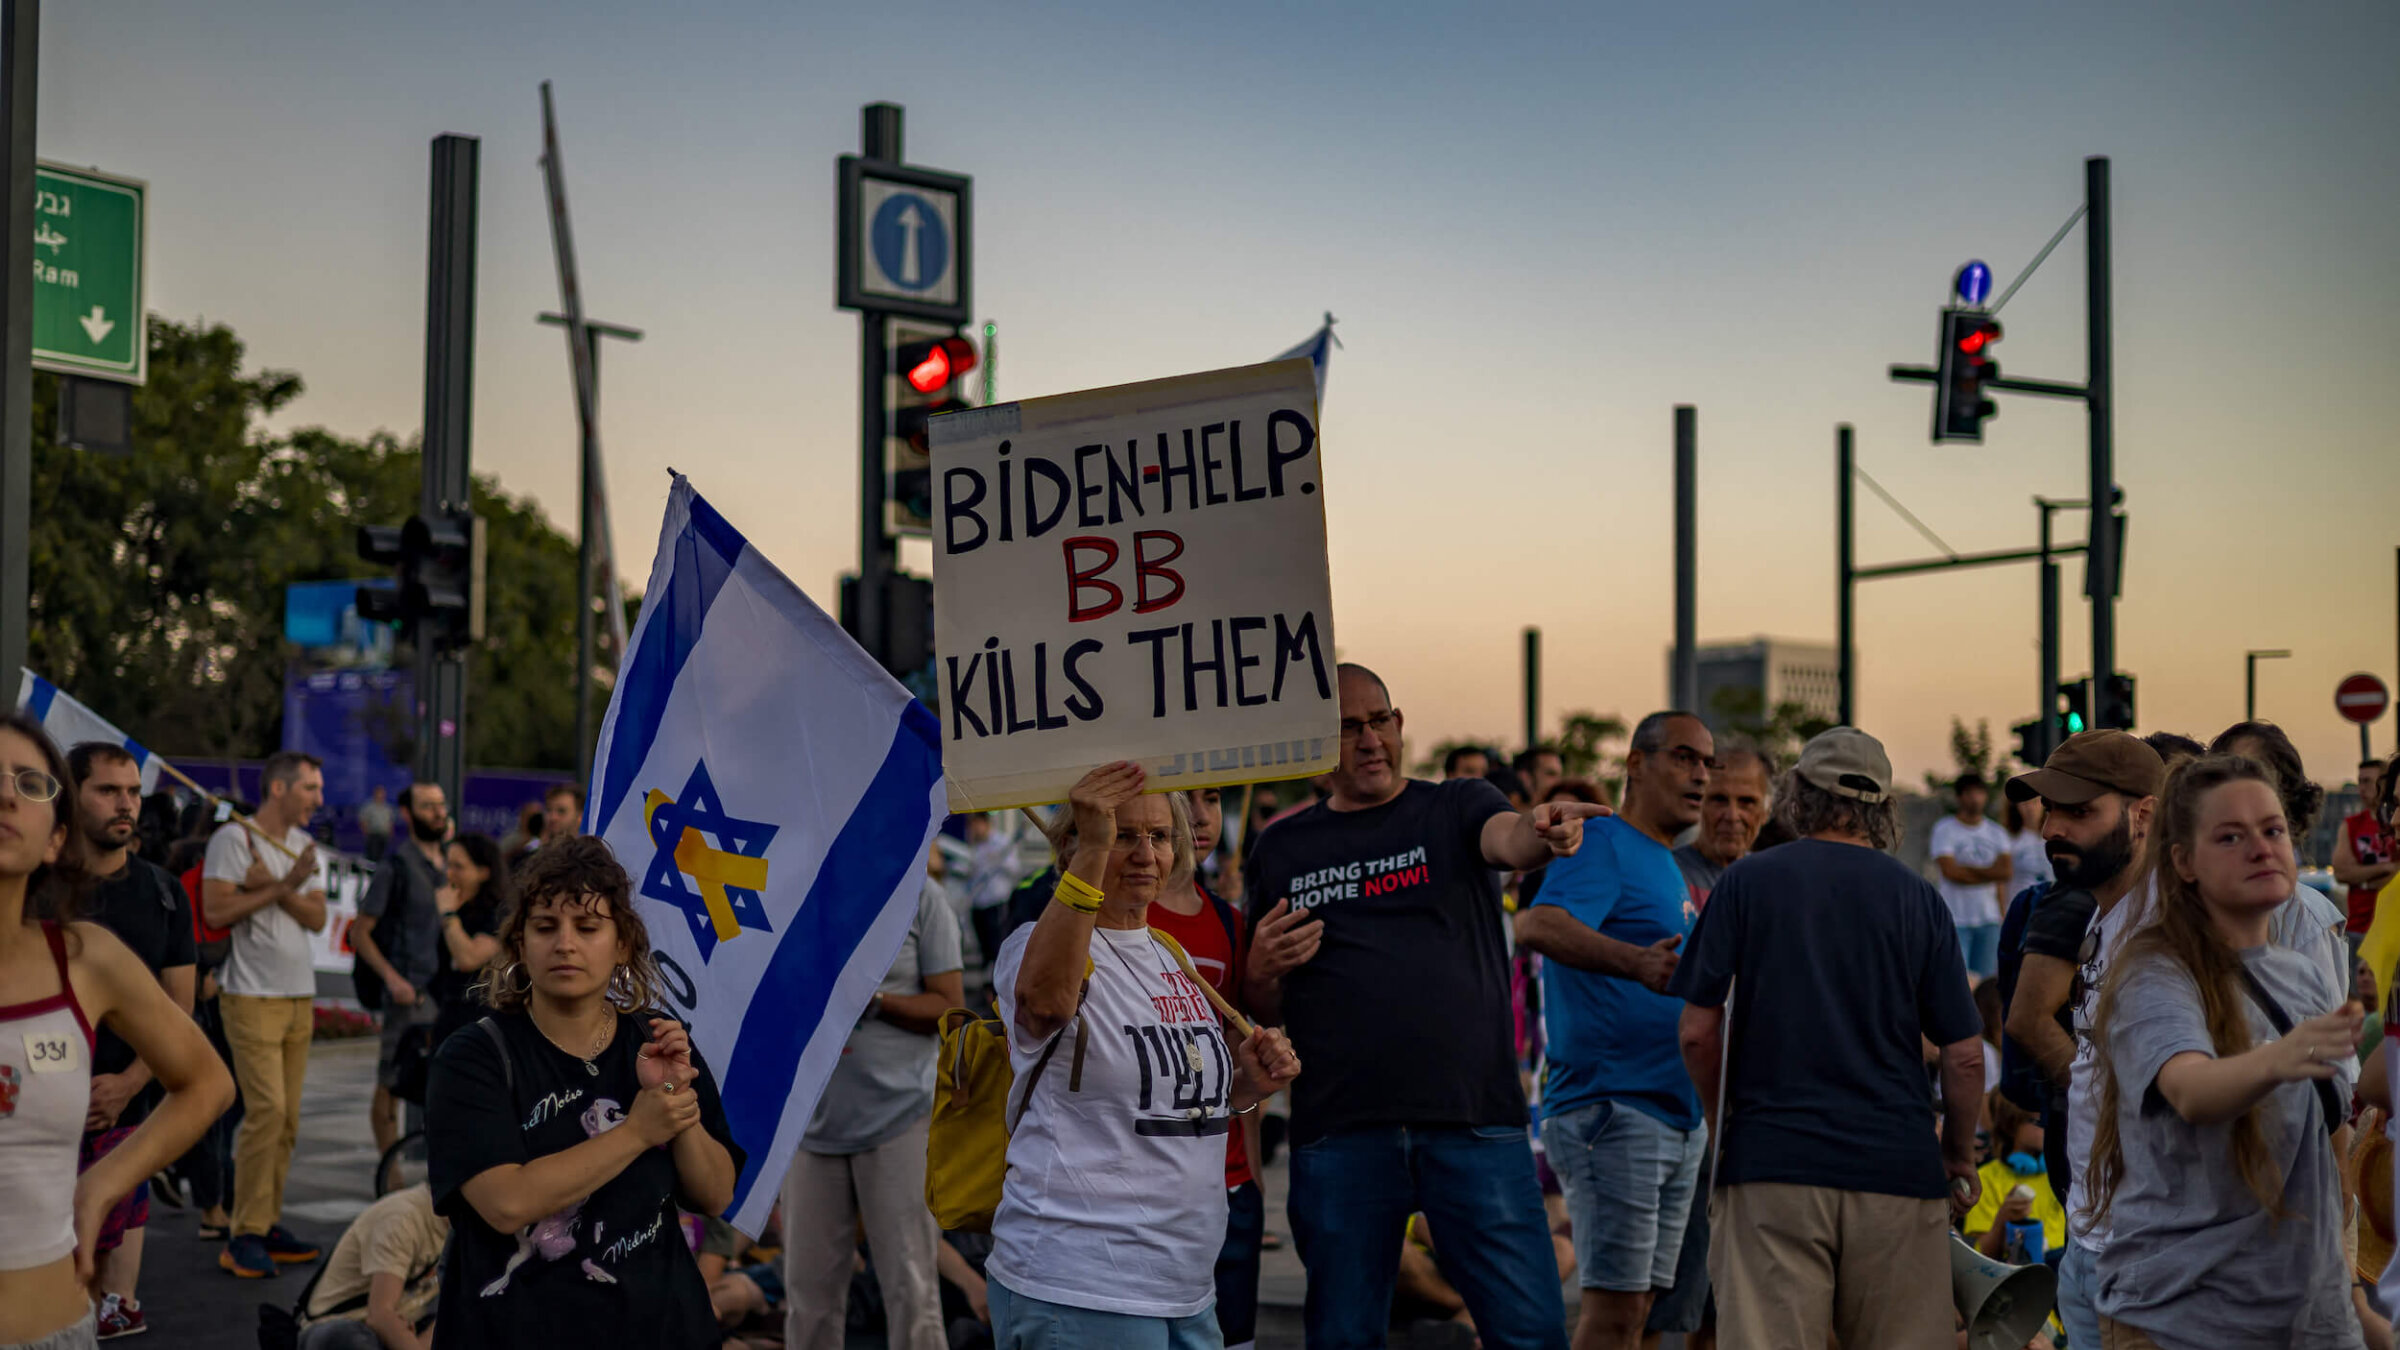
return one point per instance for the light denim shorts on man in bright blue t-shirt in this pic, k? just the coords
(1628, 1181)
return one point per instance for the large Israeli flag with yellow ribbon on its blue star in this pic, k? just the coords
(772, 792)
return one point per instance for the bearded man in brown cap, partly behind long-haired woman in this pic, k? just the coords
(2099, 792)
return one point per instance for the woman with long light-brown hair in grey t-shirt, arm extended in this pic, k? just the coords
(2212, 1157)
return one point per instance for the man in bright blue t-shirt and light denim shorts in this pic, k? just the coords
(1619, 1118)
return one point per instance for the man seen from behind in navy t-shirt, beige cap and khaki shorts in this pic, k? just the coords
(1840, 964)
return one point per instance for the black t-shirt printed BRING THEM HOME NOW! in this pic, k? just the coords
(1403, 1017)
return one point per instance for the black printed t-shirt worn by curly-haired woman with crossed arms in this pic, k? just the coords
(611, 1272)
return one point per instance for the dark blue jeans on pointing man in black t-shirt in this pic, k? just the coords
(1352, 1197)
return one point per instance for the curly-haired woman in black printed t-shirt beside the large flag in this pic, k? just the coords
(568, 1128)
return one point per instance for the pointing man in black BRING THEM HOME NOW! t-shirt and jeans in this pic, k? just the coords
(1379, 945)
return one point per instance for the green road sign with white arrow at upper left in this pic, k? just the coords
(88, 273)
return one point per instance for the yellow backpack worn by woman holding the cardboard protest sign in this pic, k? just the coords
(966, 1157)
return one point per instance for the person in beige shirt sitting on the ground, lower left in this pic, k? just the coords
(378, 1289)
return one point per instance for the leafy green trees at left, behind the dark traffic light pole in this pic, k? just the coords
(157, 580)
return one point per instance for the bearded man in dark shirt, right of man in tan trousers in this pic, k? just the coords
(400, 938)
